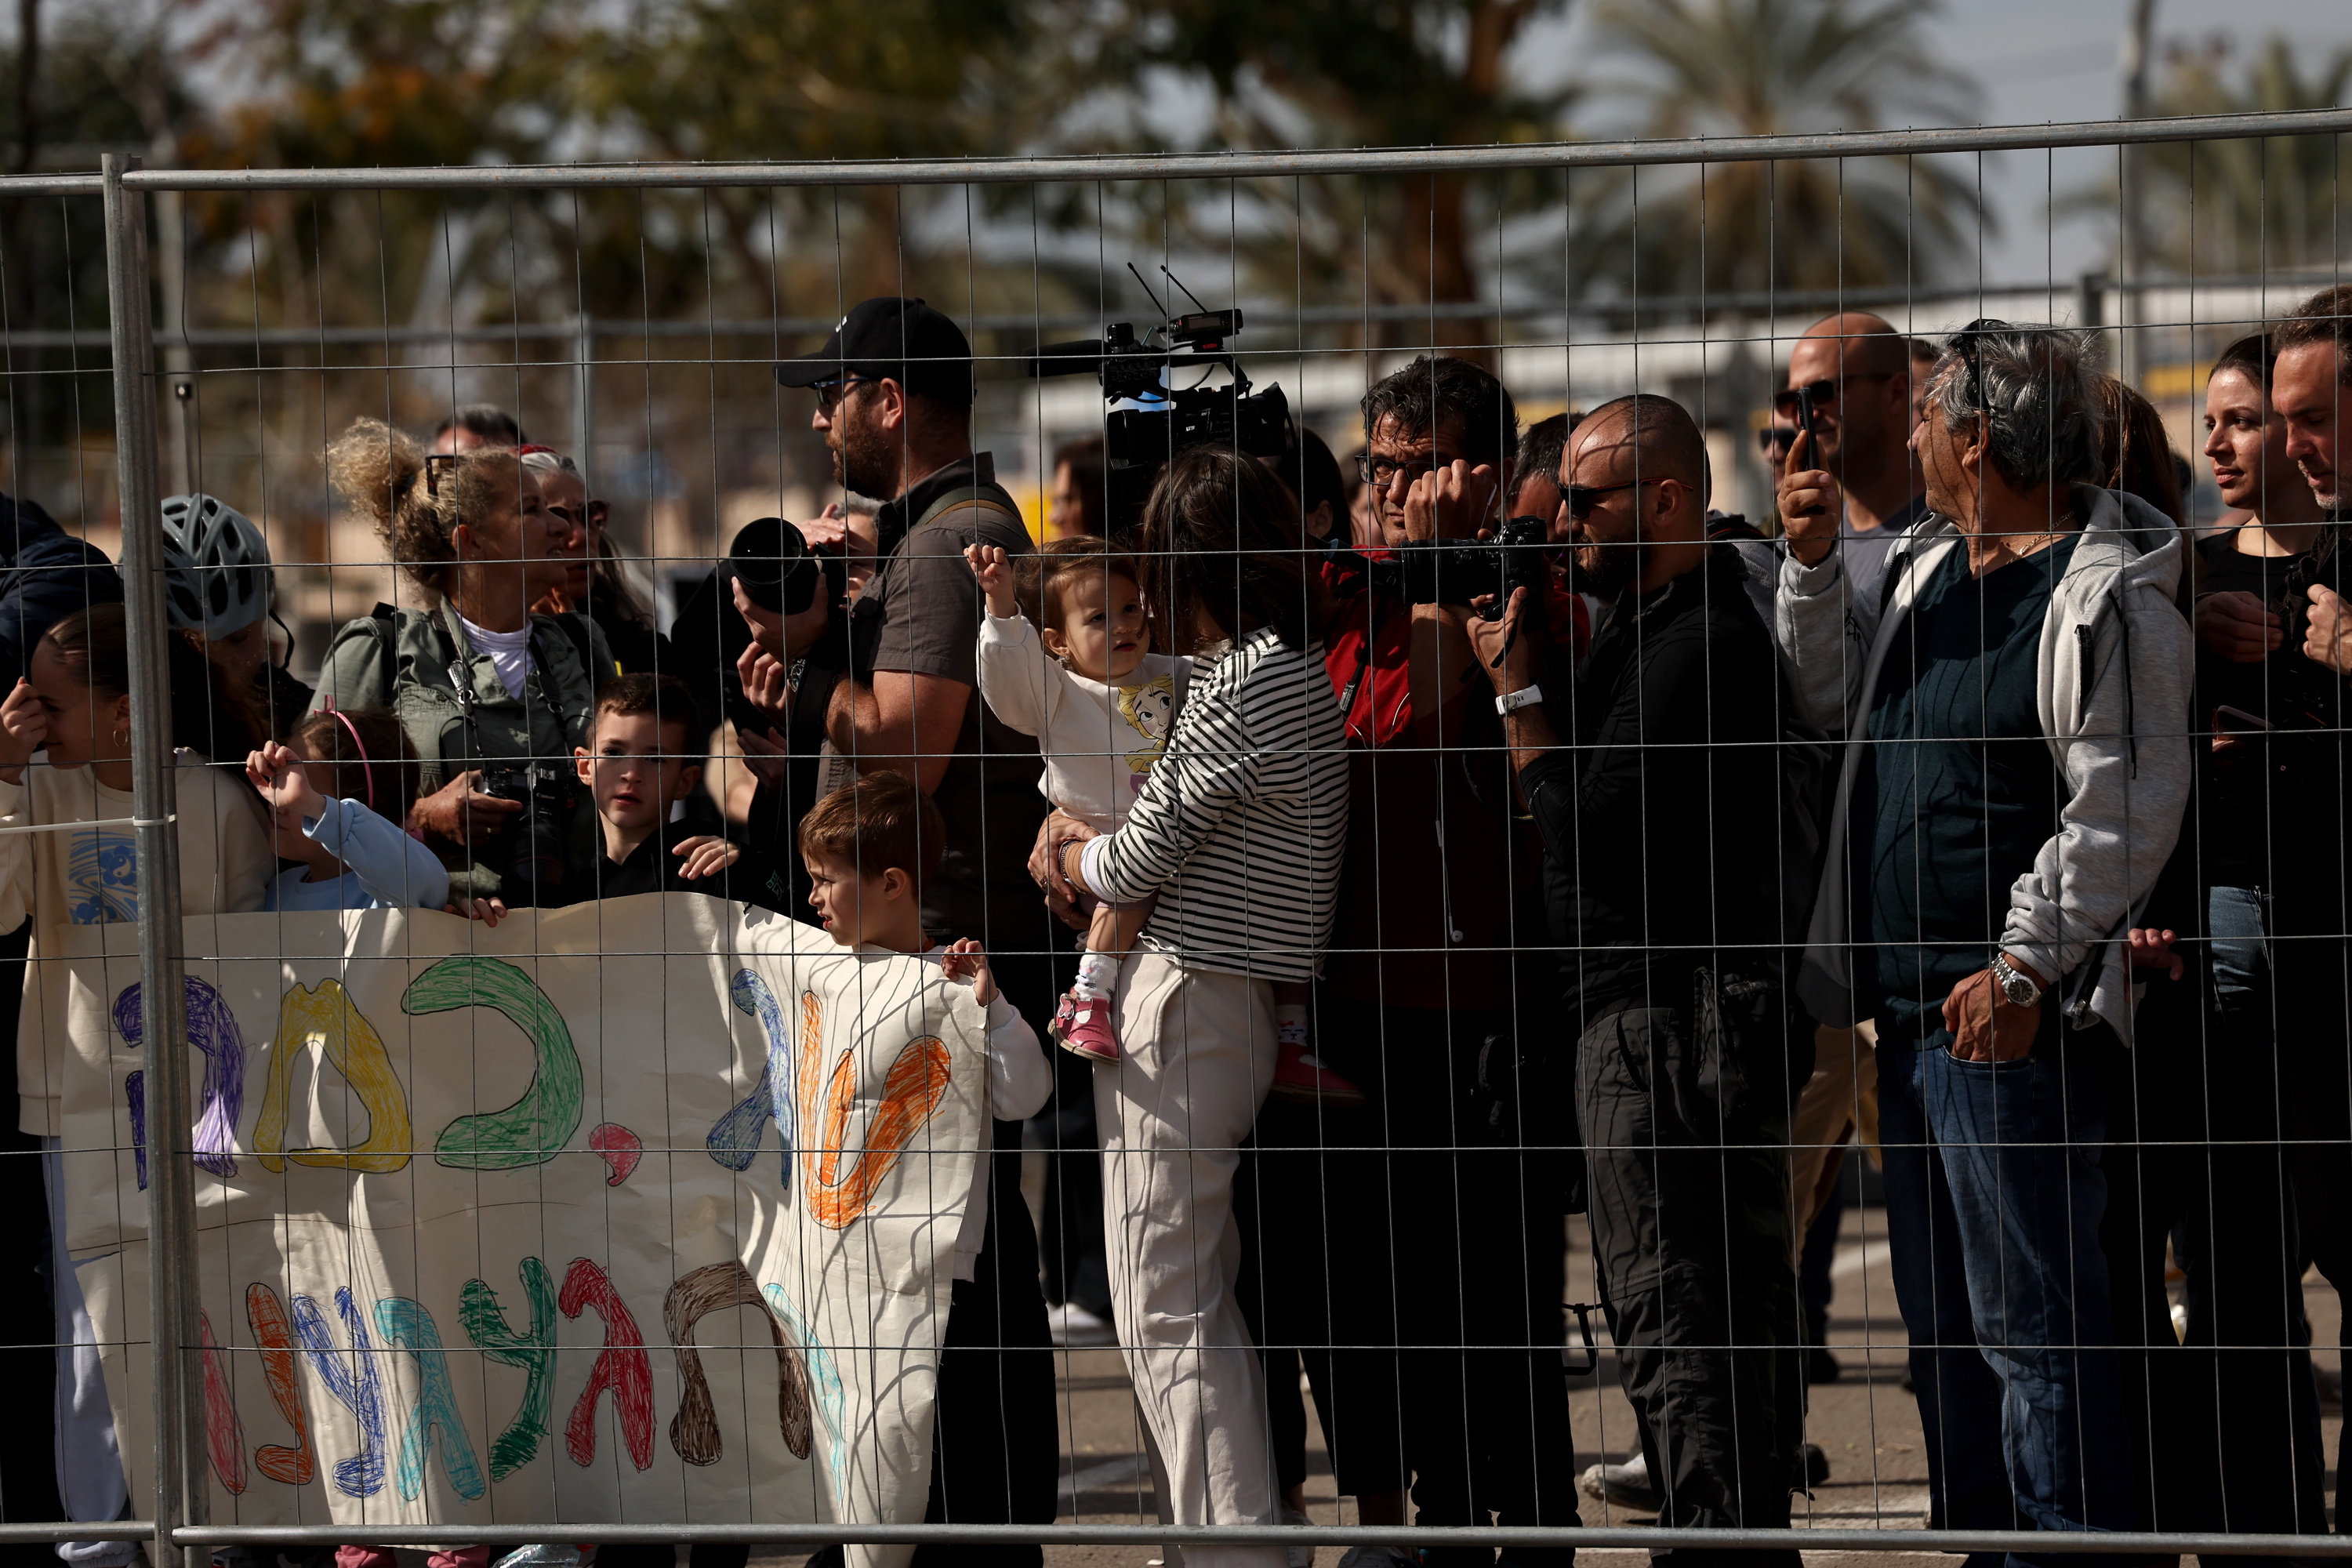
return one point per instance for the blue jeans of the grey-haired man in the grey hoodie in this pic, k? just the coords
(1993, 1209)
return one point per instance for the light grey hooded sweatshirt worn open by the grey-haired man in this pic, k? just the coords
(2113, 690)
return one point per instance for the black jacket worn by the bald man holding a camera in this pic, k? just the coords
(1662, 817)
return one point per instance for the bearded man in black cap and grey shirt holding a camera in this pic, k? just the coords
(890, 683)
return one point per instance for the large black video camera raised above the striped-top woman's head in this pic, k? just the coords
(1172, 417)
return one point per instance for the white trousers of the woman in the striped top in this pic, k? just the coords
(1196, 1059)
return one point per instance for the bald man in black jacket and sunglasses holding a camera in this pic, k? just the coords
(1645, 772)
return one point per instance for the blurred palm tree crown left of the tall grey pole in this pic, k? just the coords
(1777, 67)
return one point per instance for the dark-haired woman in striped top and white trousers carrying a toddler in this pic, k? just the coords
(1238, 833)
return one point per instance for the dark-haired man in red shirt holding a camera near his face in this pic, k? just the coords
(1422, 993)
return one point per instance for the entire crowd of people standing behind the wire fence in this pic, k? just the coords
(1396, 894)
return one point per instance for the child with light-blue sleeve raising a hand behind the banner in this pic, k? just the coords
(349, 840)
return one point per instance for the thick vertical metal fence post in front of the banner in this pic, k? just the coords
(163, 1007)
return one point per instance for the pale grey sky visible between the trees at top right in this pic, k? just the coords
(2052, 60)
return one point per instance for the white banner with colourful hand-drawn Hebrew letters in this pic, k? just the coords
(639, 1212)
